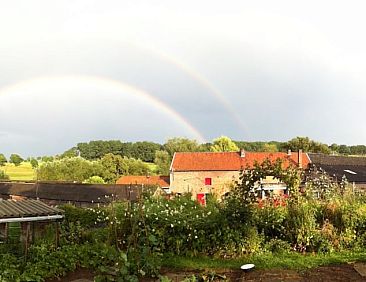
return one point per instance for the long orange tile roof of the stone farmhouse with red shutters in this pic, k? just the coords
(227, 161)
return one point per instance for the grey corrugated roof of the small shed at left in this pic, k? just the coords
(26, 208)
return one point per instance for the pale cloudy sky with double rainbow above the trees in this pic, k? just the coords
(75, 71)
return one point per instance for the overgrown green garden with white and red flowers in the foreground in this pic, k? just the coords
(324, 222)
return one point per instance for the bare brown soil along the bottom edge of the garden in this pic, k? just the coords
(344, 272)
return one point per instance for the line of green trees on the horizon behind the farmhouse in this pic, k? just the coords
(100, 161)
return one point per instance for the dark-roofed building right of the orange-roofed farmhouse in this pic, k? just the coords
(353, 168)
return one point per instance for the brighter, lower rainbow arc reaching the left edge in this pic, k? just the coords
(108, 83)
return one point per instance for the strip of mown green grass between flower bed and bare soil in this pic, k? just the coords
(294, 261)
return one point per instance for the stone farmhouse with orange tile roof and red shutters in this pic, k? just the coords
(202, 173)
